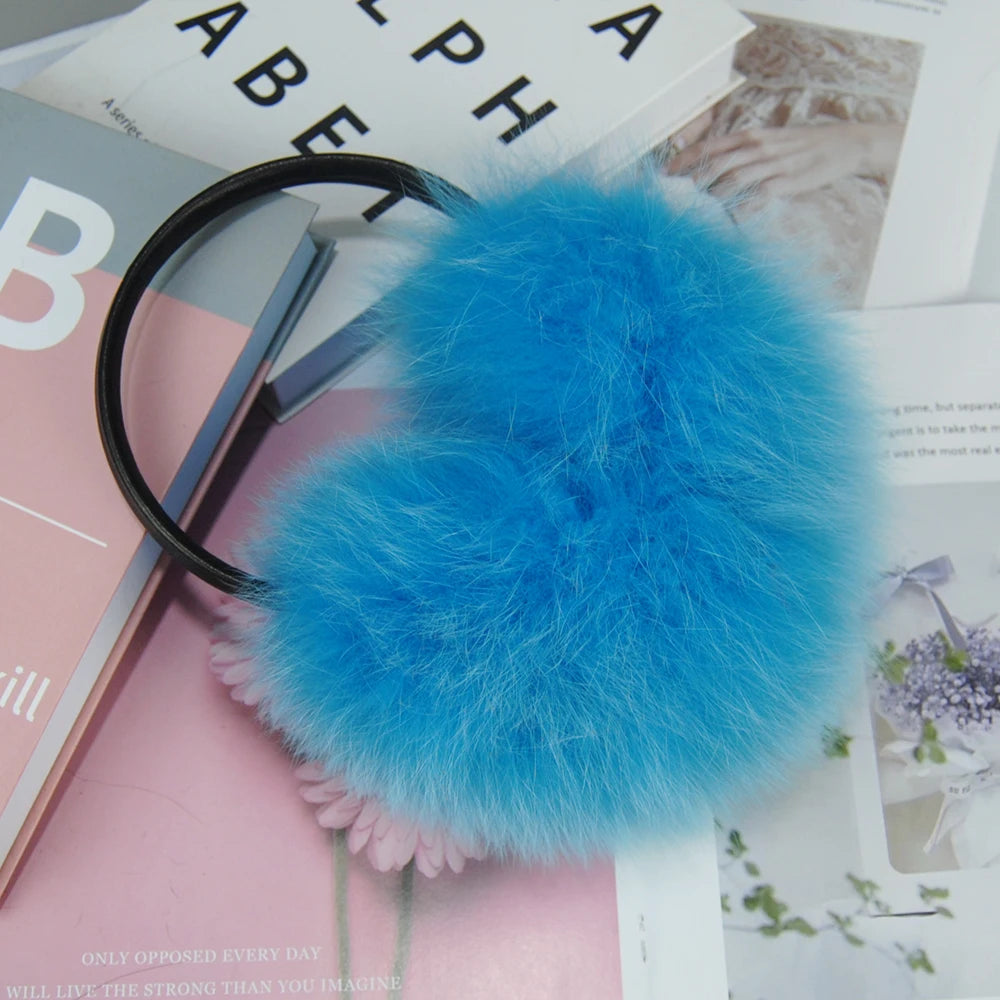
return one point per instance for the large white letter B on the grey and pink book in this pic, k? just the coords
(58, 271)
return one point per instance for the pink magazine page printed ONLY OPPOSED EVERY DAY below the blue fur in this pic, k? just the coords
(182, 861)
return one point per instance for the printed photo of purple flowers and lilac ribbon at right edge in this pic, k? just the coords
(934, 680)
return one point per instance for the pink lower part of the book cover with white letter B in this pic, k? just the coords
(67, 536)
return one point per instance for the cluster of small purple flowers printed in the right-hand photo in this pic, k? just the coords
(932, 681)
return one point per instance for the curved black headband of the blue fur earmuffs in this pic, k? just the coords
(230, 192)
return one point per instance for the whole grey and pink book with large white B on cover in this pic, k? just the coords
(74, 563)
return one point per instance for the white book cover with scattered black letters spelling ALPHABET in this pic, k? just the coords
(404, 76)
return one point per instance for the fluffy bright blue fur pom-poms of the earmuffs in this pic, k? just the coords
(608, 571)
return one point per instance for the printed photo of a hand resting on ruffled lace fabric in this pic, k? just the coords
(809, 143)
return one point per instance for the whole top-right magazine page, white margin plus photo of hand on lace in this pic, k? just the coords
(863, 134)
